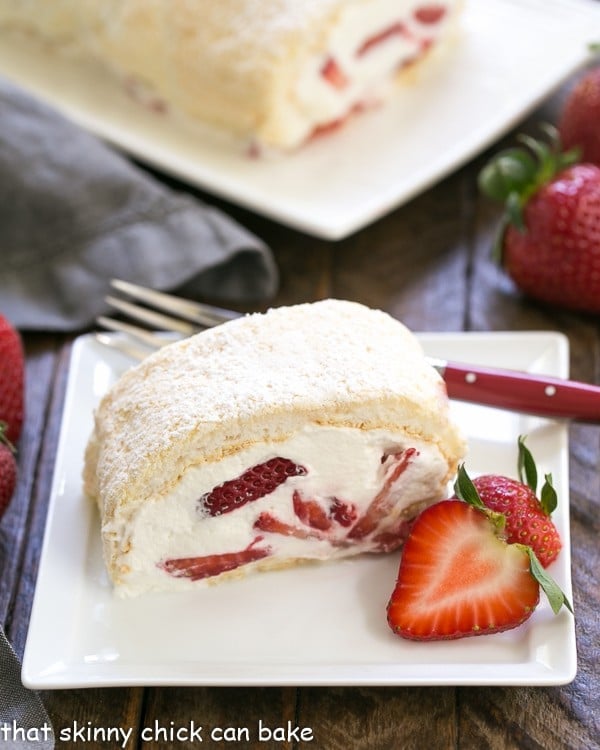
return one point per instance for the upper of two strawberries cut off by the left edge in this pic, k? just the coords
(11, 380)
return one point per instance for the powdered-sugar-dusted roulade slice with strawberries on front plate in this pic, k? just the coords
(311, 432)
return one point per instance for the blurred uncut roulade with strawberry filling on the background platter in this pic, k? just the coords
(271, 73)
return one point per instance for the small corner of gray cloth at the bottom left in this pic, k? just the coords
(24, 723)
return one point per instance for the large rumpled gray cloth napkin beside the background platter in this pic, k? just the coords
(75, 213)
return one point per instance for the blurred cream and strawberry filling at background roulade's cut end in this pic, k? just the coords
(368, 46)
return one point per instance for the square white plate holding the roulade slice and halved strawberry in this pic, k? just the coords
(319, 624)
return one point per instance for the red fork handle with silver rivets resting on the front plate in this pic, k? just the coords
(523, 392)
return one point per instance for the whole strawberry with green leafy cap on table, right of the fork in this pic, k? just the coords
(549, 242)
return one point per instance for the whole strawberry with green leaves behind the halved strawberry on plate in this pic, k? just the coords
(527, 518)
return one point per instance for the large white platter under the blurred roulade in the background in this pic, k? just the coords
(509, 55)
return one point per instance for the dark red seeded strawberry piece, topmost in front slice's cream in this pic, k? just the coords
(256, 482)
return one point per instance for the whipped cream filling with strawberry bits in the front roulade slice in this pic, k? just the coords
(343, 471)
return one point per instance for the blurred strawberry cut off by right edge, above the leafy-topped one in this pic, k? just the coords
(579, 124)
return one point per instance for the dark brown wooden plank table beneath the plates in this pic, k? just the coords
(428, 263)
